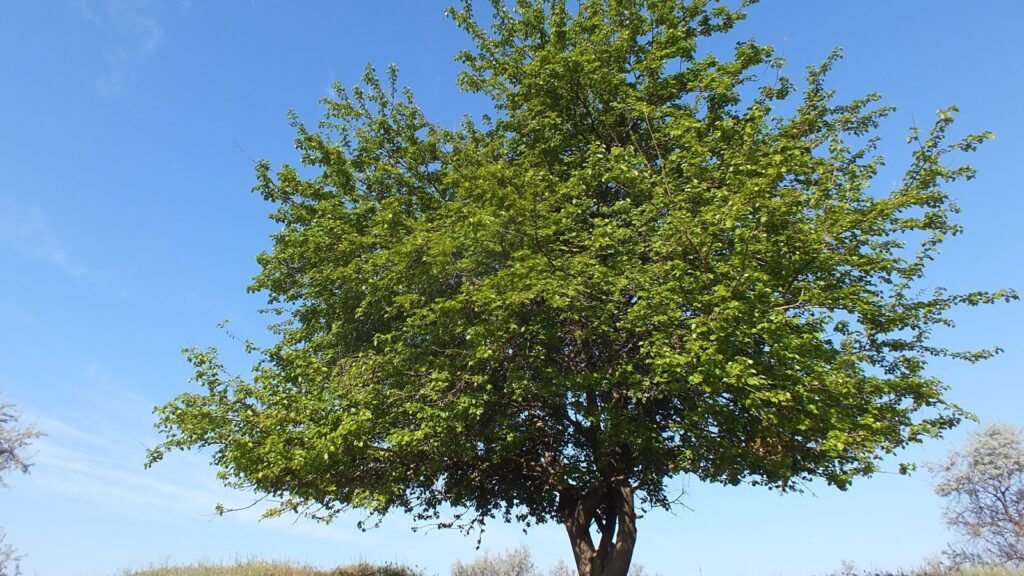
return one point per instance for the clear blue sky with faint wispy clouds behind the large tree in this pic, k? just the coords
(129, 230)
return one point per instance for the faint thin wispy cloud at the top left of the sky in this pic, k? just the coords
(132, 32)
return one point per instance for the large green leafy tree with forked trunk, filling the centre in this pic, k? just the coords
(643, 267)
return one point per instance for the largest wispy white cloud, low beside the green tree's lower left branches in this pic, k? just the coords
(96, 458)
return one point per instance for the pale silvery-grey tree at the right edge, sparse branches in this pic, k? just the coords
(985, 487)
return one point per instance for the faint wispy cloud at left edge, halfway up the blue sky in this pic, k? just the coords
(27, 231)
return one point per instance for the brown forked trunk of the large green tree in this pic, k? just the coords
(613, 511)
